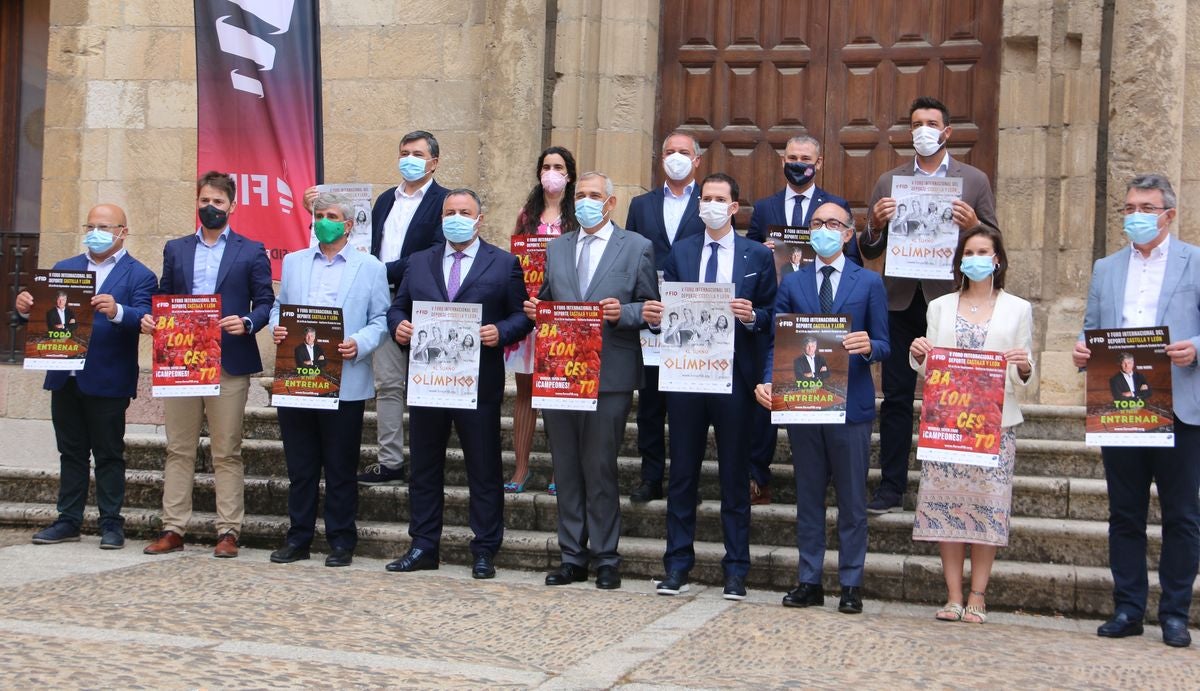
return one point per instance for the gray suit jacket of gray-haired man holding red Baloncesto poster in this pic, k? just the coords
(626, 273)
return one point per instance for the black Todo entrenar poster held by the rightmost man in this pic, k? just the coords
(1130, 388)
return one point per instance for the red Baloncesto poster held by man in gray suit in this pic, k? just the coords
(567, 364)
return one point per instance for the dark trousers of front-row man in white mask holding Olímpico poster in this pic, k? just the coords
(692, 414)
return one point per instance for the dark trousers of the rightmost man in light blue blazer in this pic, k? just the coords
(1177, 472)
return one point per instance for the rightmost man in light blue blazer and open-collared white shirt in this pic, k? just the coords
(1165, 272)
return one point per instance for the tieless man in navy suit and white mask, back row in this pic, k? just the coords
(663, 217)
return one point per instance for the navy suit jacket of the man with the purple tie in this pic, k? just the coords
(495, 281)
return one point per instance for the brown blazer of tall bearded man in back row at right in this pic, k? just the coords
(976, 193)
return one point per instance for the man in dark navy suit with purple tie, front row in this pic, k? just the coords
(464, 271)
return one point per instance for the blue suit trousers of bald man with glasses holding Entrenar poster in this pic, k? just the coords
(821, 453)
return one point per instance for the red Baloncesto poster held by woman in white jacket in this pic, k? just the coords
(963, 407)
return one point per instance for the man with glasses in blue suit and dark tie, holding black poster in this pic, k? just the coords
(835, 286)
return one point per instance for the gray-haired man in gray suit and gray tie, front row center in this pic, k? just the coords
(599, 263)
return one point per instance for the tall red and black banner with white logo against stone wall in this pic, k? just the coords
(259, 112)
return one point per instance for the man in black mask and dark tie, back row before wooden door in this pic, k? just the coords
(793, 206)
